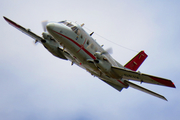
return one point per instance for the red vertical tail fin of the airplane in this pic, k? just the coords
(134, 63)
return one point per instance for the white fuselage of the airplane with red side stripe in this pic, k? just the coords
(84, 50)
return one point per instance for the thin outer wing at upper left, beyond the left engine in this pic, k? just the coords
(24, 30)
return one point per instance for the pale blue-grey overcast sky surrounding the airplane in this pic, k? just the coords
(34, 85)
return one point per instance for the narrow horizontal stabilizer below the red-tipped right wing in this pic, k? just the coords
(145, 90)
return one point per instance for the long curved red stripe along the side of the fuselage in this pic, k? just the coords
(86, 51)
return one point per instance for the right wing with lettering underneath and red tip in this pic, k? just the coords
(132, 75)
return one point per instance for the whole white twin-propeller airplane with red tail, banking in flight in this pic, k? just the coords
(69, 41)
